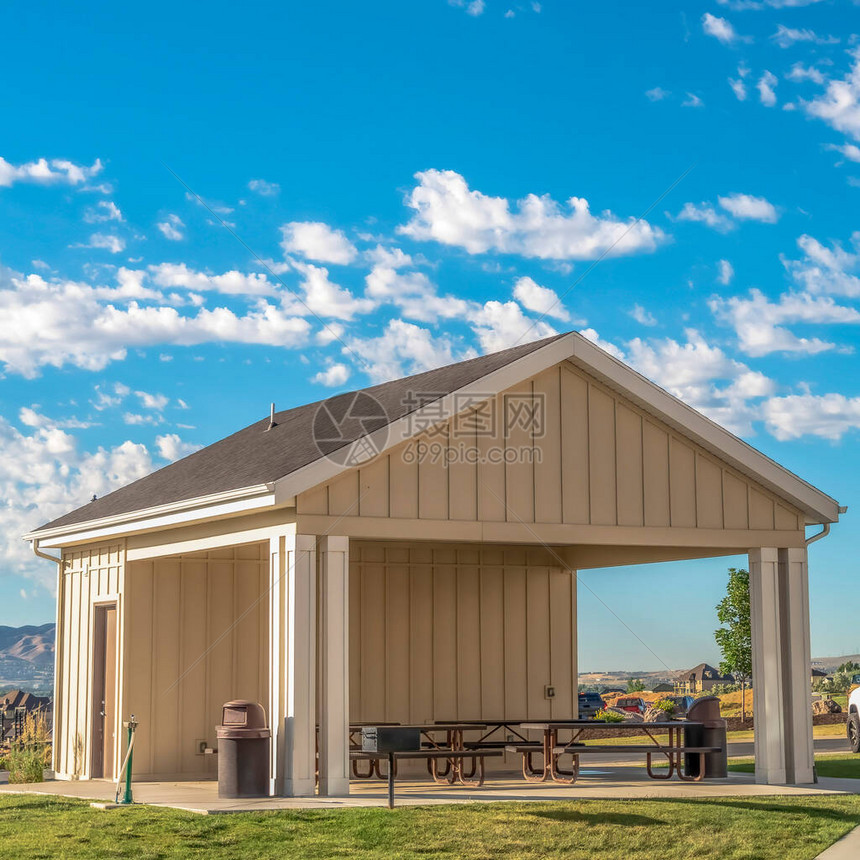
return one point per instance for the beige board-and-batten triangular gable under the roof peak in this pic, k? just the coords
(601, 462)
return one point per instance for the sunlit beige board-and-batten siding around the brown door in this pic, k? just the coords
(88, 576)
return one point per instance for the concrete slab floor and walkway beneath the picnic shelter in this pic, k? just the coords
(619, 783)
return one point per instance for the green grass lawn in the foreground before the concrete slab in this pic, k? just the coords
(764, 828)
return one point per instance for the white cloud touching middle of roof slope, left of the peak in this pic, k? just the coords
(404, 348)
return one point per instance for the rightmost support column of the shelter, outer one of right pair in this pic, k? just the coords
(796, 657)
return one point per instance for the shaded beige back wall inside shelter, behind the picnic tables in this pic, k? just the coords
(447, 632)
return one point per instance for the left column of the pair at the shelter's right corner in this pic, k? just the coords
(767, 666)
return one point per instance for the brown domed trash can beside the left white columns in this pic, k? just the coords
(244, 740)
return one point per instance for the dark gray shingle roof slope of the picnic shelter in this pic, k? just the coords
(251, 456)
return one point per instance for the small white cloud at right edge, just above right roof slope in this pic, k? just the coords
(829, 416)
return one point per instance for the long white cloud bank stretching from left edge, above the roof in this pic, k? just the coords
(61, 322)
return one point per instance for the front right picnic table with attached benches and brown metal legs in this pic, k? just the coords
(552, 750)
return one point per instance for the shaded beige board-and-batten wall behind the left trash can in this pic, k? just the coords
(196, 637)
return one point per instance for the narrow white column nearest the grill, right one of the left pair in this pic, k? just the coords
(334, 665)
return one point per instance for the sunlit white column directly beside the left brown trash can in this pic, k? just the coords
(292, 664)
